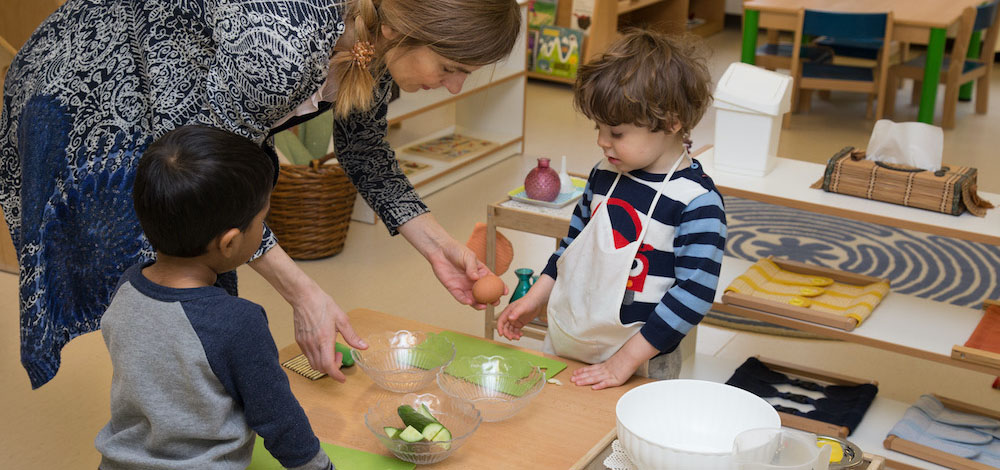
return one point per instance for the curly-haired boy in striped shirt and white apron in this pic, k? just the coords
(640, 263)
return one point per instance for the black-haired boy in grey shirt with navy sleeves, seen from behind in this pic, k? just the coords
(196, 372)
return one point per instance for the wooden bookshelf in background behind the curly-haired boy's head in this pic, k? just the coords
(610, 16)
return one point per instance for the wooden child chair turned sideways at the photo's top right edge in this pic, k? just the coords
(954, 73)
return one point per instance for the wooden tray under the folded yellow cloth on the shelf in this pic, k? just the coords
(803, 313)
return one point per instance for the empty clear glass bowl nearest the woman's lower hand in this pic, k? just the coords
(404, 361)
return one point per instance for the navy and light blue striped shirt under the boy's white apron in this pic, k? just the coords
(676, 271)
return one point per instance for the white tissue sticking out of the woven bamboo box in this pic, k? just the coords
(906, 143)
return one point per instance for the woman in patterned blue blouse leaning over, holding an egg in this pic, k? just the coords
(99, 81)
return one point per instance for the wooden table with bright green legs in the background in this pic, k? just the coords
(914, 21)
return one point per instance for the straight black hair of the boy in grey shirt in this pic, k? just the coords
(196, 182)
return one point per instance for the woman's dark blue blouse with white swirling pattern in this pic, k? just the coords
(98, 81)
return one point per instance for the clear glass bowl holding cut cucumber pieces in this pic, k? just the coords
(457, 415)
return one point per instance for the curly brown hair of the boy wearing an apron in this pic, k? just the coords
(646, 79)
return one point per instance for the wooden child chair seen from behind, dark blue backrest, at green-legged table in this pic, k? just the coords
(818, 76)
